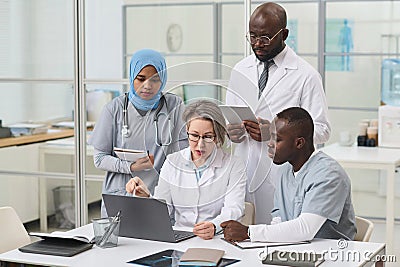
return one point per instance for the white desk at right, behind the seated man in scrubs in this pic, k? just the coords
(376, 158)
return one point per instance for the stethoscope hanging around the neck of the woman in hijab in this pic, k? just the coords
(125, 127)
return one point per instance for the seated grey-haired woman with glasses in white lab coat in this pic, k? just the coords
(202, 185)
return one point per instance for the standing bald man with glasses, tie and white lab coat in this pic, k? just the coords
(269, 81)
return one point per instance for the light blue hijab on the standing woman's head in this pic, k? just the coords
(139, 60)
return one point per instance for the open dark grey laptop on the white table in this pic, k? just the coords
(144, 218)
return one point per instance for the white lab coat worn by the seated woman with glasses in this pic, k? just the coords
(217, 196)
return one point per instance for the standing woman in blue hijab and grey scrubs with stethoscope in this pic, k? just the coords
(144, 119)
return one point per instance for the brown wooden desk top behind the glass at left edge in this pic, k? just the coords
(36, 138)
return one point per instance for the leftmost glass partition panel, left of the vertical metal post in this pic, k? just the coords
(37, 89)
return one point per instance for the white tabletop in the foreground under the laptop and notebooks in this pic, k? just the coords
(129, 249)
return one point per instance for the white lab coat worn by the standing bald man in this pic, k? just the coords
(293, 83)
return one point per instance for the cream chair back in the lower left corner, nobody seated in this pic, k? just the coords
(12, 232)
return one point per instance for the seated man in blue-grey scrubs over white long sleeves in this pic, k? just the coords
(313, 195)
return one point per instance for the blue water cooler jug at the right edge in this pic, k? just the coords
(390, 90)
